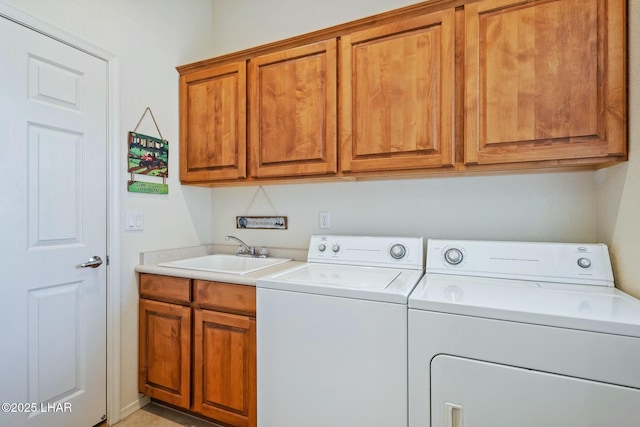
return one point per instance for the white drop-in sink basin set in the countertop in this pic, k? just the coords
(223, 263)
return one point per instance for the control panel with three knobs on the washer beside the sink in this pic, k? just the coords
(400, 252)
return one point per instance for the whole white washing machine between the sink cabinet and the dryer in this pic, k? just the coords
(332, 334)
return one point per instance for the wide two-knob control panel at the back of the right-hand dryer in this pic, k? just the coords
(546, 262)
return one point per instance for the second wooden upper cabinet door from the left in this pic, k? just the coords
(292, 108)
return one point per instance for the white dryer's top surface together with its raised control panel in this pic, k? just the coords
(556, 284)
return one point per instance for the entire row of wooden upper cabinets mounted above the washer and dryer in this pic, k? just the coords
(464, 86)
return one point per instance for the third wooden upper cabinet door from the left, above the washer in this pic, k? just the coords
(397, 95)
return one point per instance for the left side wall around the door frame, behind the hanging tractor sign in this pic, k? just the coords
(150, 38)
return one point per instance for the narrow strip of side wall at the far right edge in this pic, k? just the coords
(618, 188)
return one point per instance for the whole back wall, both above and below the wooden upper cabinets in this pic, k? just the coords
(551, 206)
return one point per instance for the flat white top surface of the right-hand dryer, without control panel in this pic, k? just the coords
(590, 308)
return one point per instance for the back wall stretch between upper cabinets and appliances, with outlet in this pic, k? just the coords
(552, 207)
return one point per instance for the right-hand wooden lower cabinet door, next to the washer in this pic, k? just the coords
(224, 377)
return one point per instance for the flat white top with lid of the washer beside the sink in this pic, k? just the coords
(368, 283)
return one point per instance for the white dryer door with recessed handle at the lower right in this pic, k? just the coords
(474, 393)
